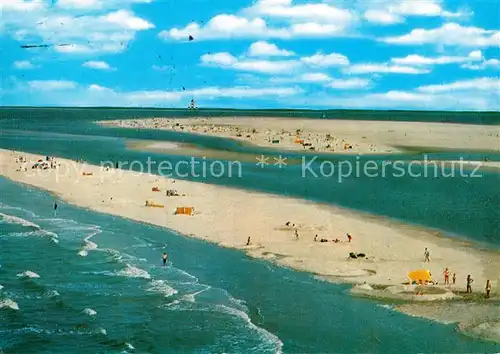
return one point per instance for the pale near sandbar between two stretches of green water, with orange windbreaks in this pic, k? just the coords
(229, 216)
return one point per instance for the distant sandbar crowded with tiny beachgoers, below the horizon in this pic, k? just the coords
(331, 136)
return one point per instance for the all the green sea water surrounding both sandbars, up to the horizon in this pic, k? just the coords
(81, 281)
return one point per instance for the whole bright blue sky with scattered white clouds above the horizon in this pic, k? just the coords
(390, 54)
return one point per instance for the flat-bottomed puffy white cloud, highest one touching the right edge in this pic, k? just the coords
(450, 34)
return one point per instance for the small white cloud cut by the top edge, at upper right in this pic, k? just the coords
(395, 11)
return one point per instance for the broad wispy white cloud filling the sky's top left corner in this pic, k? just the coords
(93, 31)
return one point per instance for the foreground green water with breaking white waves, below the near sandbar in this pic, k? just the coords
(206, 300)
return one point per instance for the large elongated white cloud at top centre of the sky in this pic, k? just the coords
(302, 20)
